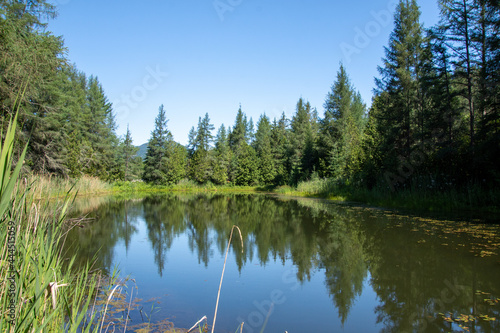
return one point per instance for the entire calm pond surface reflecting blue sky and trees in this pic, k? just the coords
(305, 266)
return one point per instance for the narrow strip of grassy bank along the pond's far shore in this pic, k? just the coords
(471, 199)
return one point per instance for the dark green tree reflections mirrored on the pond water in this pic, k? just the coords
(421, 270)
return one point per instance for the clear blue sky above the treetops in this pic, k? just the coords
(199, 56)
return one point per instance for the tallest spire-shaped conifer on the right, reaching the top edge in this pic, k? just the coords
(400, 81)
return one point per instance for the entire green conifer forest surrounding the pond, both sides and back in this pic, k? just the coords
(433, 124)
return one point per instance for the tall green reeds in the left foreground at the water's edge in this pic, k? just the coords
(40, 292)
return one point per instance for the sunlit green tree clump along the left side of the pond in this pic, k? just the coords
(65, 116)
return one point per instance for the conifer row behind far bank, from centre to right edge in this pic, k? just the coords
(433, 124)
